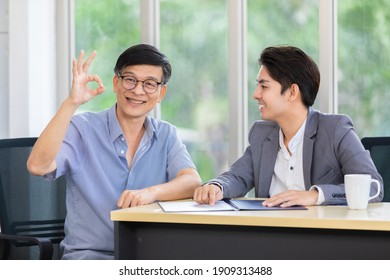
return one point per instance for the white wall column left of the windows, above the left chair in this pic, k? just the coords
(32, 66)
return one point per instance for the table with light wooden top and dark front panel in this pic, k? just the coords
(321, 232)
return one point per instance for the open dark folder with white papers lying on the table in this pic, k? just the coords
(223, 205)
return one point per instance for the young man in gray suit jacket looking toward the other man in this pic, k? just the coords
(296, 155)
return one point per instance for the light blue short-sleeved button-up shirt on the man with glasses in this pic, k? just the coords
(93, 158)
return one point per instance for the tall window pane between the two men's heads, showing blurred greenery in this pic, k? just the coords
(197, 99)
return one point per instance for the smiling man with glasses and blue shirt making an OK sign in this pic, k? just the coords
(120, 157)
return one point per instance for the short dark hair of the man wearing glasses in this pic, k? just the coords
(144, 54)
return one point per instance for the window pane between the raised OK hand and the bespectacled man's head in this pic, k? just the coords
(98, 27)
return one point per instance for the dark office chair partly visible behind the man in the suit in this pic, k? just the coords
(379, 148)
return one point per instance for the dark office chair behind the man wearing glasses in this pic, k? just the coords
(32, 210)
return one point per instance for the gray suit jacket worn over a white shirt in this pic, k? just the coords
(331, 148)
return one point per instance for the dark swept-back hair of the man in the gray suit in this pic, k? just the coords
(289, 65)
